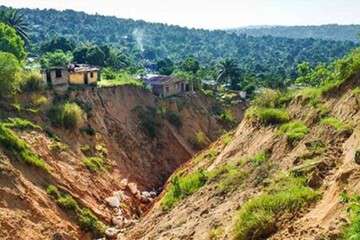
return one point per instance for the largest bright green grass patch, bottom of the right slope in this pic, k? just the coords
(257, 217)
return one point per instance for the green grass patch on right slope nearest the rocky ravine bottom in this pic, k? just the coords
(182, 186)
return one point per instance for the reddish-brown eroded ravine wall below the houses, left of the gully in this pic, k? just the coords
(135, 162)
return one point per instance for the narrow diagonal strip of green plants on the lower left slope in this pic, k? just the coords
(86, 219)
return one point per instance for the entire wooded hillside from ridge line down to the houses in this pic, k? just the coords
(135, 45)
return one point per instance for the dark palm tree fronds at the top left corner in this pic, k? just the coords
(15, 19)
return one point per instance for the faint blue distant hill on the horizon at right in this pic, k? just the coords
(326, 32)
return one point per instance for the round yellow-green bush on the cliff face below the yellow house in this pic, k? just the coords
(68, 115)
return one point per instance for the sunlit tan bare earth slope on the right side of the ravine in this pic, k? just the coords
(325, 156)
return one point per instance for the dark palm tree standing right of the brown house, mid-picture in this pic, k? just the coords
(229, 72)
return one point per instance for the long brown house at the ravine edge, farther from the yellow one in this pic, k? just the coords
(164, 86)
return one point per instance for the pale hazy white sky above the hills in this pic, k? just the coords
(213, 14)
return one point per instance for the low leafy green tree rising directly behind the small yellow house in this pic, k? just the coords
(56, 59)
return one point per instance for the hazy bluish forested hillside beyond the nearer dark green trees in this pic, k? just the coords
(268, 57)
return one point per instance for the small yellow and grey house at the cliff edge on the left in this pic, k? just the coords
(74, 74)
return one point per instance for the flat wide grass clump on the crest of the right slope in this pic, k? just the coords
(268, 115)
